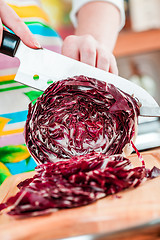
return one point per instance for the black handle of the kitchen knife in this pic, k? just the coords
(10, 43)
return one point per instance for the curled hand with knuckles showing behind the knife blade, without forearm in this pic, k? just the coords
(88, 50)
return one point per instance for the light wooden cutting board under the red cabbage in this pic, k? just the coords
(133, 208)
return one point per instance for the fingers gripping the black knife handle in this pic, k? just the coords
(10, 19)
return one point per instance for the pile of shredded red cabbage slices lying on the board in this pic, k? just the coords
(75, 182)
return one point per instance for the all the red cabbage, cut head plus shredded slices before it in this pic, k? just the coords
(77, 130)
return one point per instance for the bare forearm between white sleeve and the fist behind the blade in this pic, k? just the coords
(101, 20)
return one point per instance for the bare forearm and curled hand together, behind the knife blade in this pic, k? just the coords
(96, 32)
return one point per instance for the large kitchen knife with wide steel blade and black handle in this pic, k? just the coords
(40, 67)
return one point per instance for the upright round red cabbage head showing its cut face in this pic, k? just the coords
(77, 116)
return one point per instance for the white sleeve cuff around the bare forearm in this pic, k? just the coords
(77, 4)
